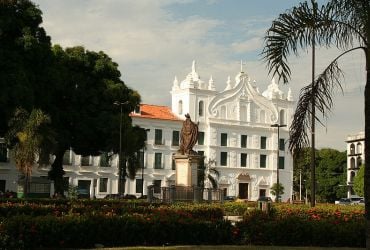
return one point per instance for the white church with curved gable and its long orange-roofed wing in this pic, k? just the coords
(235, 130)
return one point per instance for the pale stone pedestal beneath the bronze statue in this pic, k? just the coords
(187, 169)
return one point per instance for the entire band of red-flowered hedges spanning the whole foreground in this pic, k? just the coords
(28, 224)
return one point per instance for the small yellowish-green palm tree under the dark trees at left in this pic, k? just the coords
(28, 135)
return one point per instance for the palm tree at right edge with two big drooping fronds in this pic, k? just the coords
(344, 24)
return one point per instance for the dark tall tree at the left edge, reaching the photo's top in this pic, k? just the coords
(24, 57)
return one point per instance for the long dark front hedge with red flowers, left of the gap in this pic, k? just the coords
(85, 231)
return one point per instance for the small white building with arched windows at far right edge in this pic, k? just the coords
(355, 158)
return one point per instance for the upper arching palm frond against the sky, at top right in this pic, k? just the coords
(296, 29)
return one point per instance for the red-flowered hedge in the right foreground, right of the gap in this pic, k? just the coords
(293, 225)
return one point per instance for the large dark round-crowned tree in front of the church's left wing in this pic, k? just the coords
(86, 84)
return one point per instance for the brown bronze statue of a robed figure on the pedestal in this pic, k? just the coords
(189, 136)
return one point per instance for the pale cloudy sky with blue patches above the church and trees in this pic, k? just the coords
(155, 40)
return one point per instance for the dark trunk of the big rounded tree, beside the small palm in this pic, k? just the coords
(56, 173)
